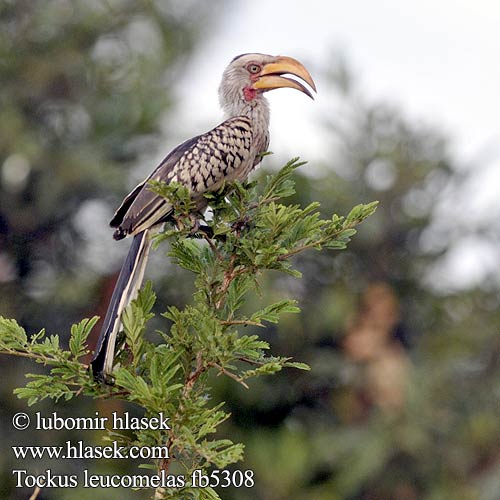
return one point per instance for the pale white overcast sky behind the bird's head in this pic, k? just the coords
(439, 61)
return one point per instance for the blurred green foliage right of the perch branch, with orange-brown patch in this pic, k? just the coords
(402, 400)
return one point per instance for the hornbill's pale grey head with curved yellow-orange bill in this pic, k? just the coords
(248, 76)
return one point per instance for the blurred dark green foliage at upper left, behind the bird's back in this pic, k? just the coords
(84, 85)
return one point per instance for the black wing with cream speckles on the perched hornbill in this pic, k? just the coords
(201, 164)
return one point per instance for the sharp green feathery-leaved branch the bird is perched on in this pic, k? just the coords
(250, 232)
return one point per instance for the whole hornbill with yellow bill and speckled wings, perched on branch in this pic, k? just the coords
(228, 152)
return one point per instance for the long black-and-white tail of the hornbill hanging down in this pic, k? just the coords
(126, 288)
